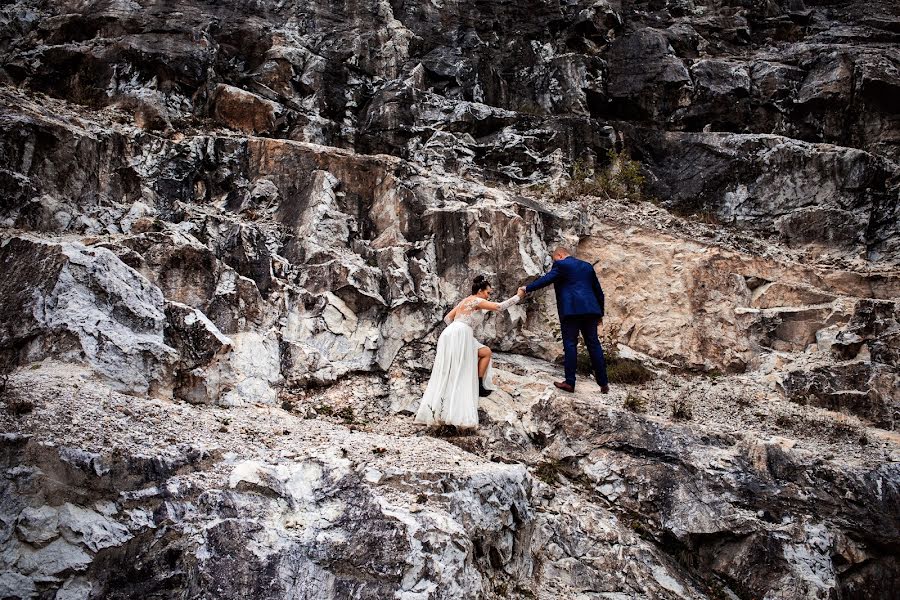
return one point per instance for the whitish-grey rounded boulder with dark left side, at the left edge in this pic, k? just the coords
(72, 300)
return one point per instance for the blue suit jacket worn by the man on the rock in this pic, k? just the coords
(578, 291)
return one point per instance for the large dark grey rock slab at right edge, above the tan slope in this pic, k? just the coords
(824, 194)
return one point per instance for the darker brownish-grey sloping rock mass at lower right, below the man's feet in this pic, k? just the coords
(730, 504)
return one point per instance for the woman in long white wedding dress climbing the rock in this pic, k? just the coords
(462, 365)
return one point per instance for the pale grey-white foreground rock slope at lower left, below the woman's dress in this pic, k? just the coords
(279, 505)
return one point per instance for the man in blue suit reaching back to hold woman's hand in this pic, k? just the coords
(579, 300)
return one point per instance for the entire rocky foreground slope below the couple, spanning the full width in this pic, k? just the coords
(162, 499)
